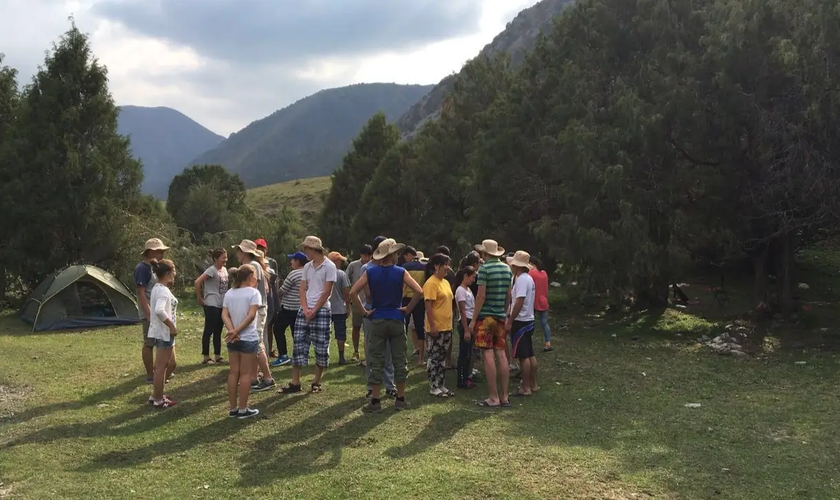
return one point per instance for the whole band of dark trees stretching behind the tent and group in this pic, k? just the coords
(634, 143)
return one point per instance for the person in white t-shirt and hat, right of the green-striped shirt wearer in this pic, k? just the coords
(520, 323)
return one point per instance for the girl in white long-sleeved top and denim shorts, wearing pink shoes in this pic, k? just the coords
(162, 329)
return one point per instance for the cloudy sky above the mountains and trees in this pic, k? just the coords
(226, 63)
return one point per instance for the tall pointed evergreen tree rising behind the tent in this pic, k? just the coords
(75, 175)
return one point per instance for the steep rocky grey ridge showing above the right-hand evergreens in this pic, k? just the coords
(517, 40)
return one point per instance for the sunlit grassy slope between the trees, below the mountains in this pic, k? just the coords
(304, 195)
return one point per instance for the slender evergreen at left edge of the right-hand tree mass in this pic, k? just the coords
(349, 181)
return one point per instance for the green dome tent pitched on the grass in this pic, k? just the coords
(80, 296)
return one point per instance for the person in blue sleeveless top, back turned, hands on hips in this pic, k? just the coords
(385, 283)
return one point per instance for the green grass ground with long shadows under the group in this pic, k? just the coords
(609, 423)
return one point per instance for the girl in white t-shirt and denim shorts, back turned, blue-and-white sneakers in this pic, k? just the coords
(239, 313)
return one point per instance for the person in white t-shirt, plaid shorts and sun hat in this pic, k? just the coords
(312, 327)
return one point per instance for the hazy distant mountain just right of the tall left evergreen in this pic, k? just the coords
(165, 140)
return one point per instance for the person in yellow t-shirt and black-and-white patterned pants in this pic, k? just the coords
(437, 294)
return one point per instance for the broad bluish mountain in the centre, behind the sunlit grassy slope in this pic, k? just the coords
(310, 137)
